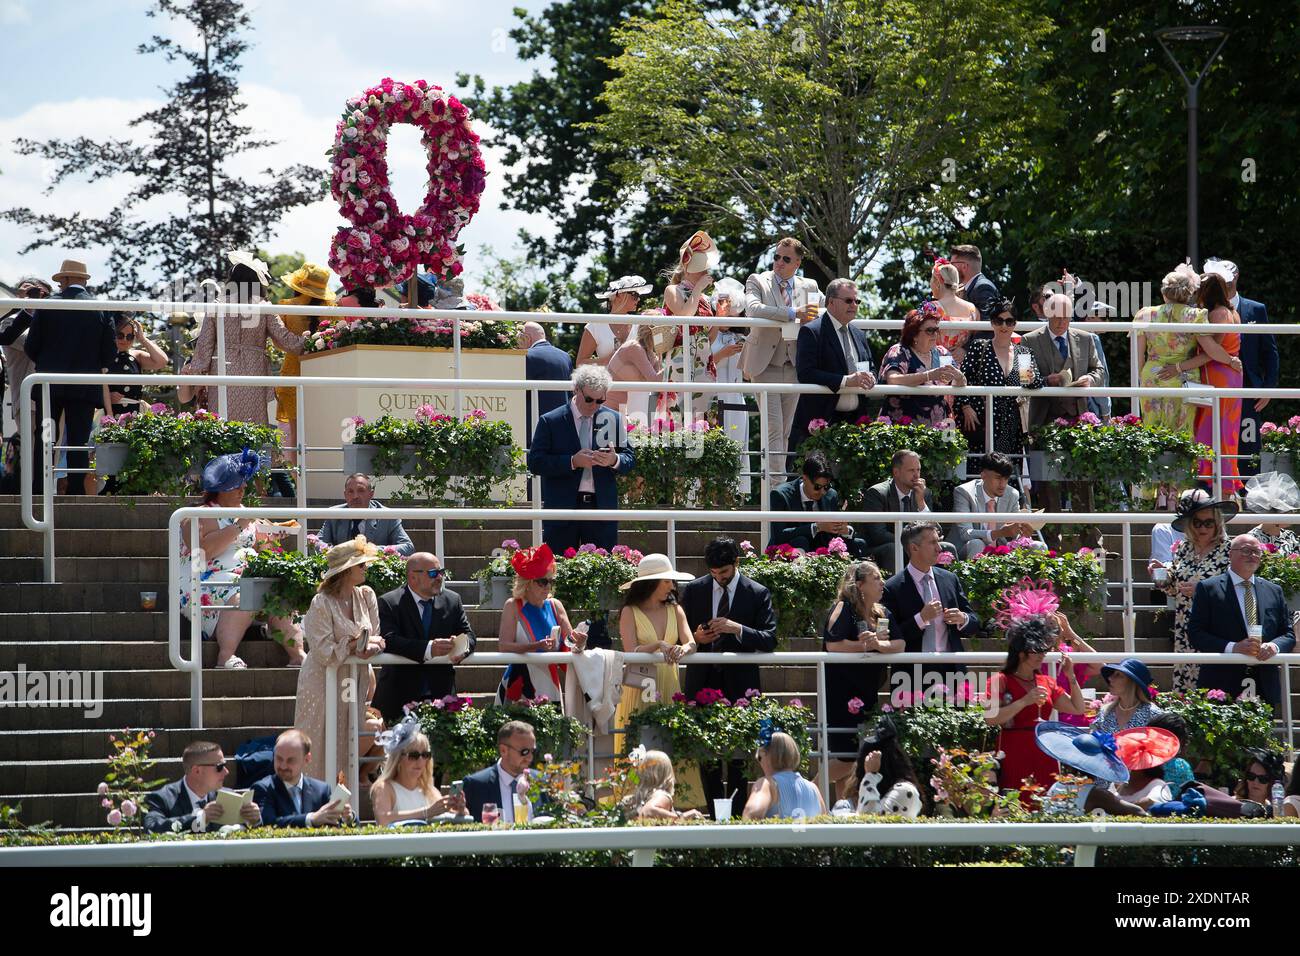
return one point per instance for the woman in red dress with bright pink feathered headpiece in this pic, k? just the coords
(1021, 698)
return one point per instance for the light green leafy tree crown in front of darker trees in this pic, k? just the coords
(839, 120)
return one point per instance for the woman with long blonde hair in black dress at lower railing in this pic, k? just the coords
(859, 625)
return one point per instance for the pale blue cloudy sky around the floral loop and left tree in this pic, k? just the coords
(71, 70)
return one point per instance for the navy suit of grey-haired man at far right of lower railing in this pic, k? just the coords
(1216, 621)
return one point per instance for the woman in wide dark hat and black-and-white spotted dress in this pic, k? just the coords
(1203, 555)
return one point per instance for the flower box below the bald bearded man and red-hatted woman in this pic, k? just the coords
(463, 738)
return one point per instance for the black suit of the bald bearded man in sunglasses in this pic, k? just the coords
(404, 634)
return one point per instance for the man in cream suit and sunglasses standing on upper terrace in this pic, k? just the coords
(769, 354)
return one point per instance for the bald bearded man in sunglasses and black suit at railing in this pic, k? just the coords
(424, 622)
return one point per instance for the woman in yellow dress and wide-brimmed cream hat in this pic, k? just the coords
(653, 622)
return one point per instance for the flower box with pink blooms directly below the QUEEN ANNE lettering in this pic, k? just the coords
(444, 461)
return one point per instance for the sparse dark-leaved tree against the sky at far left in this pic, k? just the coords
(193, 141)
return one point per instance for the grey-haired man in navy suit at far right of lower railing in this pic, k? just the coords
(1224, 608)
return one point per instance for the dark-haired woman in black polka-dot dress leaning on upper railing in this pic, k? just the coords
(998, 362)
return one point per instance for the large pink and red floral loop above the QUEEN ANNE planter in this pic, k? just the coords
(384, 245)
